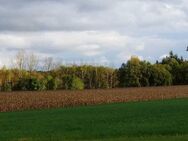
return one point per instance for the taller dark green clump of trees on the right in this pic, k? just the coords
(172, 70)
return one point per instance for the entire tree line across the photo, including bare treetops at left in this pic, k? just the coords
(26, 75)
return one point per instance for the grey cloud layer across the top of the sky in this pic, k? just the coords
(66, 15)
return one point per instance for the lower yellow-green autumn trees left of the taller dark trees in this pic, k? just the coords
(64, 77)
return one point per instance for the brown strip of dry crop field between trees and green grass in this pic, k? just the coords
(54, 99)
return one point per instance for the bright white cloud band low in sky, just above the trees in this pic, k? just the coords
(112, 46)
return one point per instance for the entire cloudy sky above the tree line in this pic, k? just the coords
(100, 31)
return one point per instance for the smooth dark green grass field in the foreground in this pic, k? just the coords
(144, 121)
